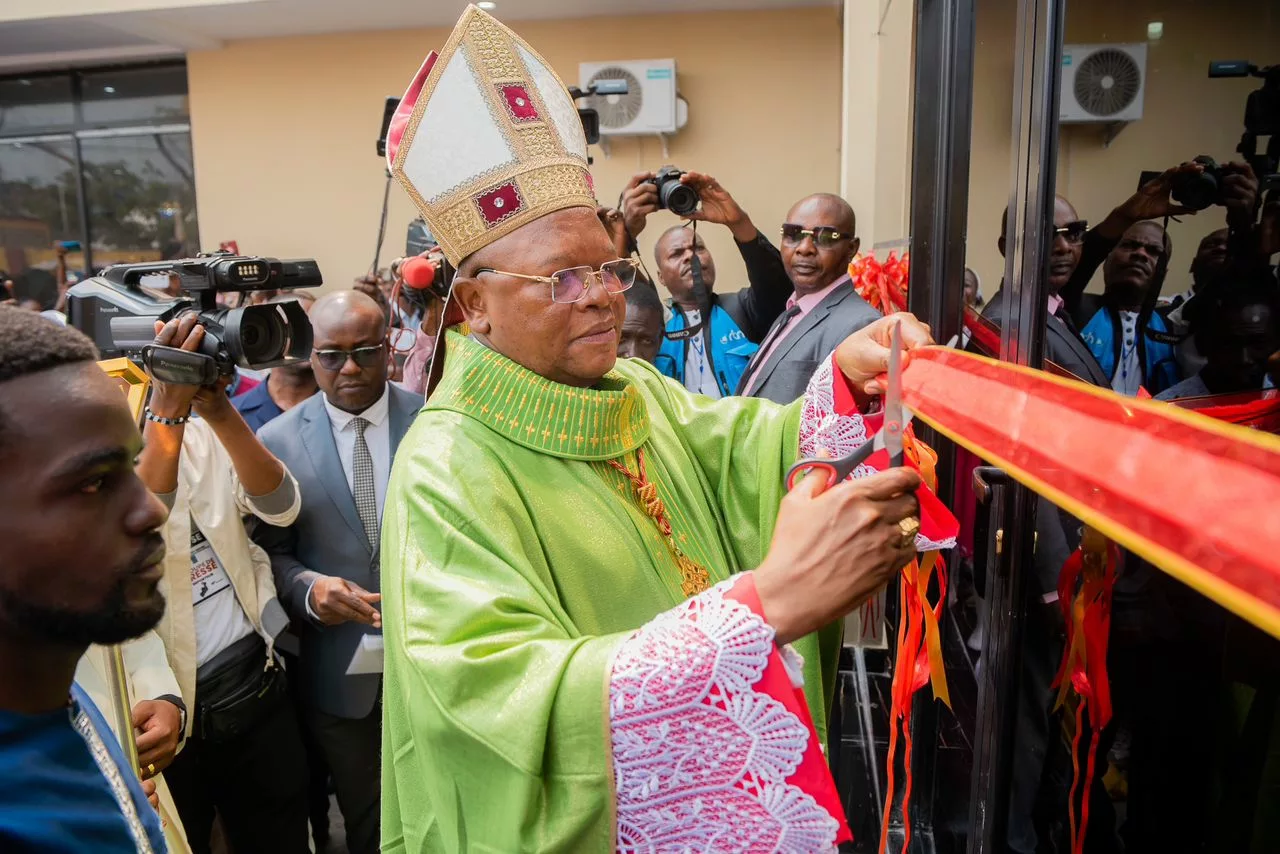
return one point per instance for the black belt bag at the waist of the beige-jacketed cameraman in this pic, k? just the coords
(237, 691)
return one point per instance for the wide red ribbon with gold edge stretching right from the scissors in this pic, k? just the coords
(1192, 496)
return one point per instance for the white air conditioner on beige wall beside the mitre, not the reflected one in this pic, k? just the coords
(651, 104)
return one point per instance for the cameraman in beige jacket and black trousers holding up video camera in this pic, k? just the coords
(244, 755)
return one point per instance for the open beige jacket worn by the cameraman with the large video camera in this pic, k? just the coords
(211, 492)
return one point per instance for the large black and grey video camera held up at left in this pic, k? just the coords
(120, 314)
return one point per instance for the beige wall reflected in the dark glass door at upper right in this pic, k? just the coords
(1185, 115)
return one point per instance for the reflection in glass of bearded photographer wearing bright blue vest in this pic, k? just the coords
(1118, 331)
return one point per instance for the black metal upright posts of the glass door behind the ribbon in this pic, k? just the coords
(945, 43)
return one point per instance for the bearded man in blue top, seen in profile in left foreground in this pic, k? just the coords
(80, 564)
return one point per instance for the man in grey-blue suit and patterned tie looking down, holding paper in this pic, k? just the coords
(327, 564)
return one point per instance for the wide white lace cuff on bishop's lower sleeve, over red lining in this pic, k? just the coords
(702, 756)
